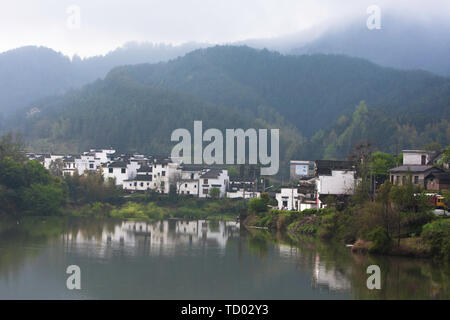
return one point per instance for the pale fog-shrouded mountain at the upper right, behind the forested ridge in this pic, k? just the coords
(400, 43)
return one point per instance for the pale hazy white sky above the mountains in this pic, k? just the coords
(107, 24)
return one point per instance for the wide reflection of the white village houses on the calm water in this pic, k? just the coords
(160, 238)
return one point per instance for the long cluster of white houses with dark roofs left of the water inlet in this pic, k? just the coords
(137, 172)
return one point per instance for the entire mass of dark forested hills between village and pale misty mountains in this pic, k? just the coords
(311, 98)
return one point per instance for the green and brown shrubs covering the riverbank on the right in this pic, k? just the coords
(398, 221)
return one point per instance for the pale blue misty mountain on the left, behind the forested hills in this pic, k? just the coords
(30, 73)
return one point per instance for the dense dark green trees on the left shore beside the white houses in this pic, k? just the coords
(26, 187)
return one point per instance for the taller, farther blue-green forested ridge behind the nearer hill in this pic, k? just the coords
(310, 90)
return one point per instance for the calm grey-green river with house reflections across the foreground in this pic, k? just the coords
(194, 260)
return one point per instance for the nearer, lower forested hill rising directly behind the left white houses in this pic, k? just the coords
(132, 117)
